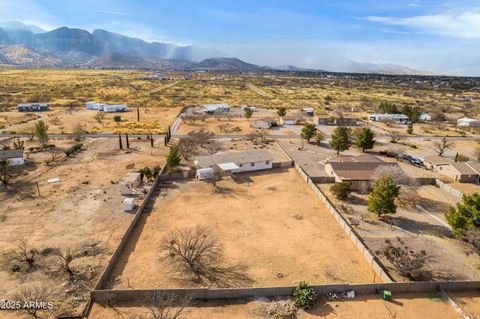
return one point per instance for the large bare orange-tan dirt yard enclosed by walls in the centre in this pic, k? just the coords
(270, 222)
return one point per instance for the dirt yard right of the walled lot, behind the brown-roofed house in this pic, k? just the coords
(421, 228)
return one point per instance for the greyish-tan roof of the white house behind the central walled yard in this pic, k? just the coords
(233, 157)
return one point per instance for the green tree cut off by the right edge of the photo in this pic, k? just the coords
(466, 216)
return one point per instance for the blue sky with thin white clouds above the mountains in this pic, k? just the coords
(441, 36)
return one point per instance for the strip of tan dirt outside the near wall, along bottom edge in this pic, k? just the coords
(403, 306)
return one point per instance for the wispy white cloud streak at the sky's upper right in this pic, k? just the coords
(461, 25)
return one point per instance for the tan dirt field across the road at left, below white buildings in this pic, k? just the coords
(64, 120)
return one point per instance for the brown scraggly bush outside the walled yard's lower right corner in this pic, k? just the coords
(408, 263)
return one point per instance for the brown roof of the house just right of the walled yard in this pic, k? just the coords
(355, 171)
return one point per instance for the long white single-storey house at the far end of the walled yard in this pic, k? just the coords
(236, 162)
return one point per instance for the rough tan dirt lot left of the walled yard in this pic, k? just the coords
(83, 209)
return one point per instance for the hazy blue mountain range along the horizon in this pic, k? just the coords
(28, 45)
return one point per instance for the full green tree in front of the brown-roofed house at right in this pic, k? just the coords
(382, 198)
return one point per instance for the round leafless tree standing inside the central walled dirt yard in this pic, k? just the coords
(193, 250)
